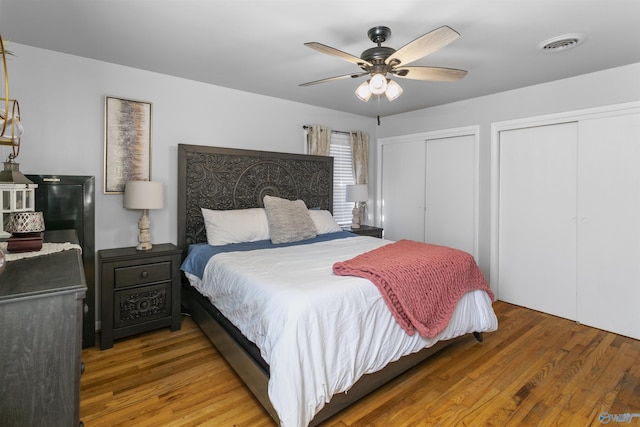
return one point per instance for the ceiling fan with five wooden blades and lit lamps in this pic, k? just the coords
(381, 60)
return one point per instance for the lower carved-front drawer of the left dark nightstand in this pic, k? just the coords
(141, 304)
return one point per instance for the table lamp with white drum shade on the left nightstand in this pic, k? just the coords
(143, 195)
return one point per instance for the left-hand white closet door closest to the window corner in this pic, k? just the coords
(403, 190)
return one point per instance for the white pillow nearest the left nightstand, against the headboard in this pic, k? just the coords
(235, 226)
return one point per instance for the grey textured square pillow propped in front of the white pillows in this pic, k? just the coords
(289, 220)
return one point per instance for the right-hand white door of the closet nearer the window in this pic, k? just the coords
(450, 193)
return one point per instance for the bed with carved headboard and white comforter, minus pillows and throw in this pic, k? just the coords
(304, 382)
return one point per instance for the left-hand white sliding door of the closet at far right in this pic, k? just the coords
(537, 214)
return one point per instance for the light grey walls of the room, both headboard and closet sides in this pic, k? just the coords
(62, 103)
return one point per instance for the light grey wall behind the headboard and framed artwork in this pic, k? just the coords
(62, 103)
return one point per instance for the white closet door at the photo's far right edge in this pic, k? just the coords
(609, 224)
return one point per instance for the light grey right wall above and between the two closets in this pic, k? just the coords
(613, 86)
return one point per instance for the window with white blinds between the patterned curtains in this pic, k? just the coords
(343, 175)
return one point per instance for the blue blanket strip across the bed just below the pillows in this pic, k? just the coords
(199, 254)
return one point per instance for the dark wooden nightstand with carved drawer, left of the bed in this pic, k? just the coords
(140, 290)
